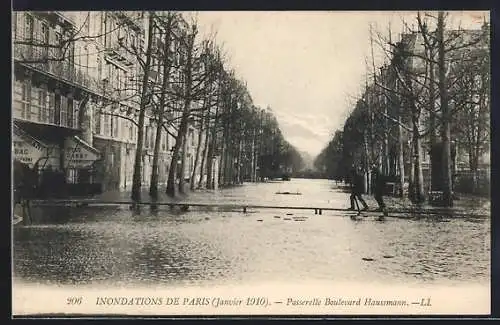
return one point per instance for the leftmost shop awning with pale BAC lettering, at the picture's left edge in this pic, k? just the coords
(27, 149)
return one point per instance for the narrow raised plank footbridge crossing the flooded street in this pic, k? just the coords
(244, 207)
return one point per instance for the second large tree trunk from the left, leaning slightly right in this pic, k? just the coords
(153, 186)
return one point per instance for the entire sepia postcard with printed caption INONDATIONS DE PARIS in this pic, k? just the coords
(251, 163)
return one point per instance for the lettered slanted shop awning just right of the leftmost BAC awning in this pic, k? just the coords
(79, 154)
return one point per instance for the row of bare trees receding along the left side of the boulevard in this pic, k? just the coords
(209, 97)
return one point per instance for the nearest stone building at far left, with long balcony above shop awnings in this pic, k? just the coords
(50, 93)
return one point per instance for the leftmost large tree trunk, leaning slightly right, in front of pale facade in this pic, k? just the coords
(145, 99)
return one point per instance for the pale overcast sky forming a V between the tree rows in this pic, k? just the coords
(307, 66)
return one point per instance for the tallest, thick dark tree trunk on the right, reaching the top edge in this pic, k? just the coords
(446, 132)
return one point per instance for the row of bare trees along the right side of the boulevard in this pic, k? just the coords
(432, 95)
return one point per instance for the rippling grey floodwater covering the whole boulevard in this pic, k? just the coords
(119, 247)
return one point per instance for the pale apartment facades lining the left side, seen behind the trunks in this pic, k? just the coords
(76, 96)
